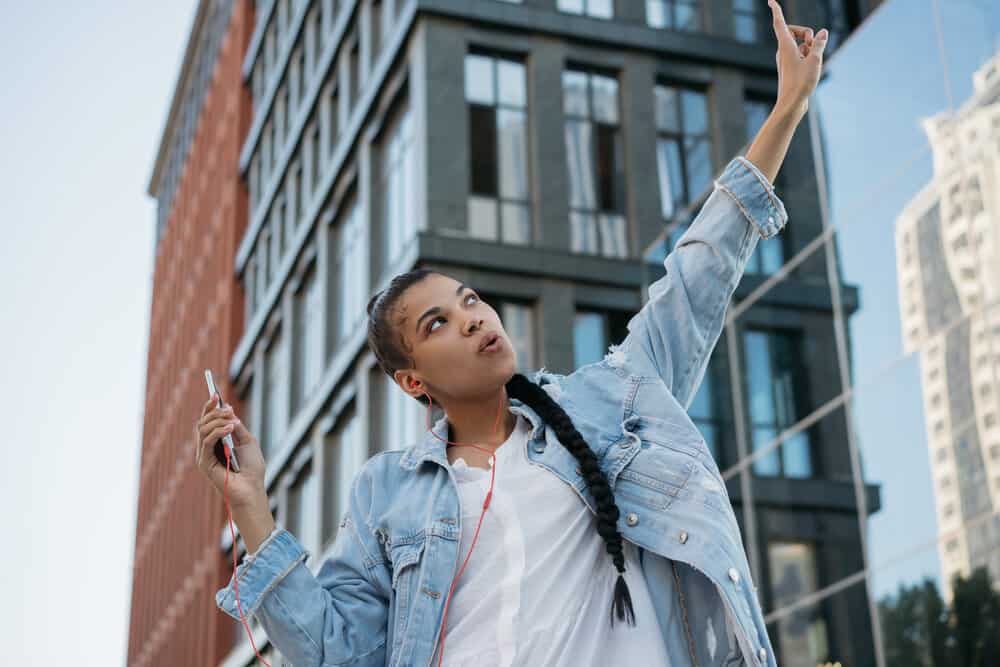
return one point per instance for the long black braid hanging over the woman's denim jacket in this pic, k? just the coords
(538, 399)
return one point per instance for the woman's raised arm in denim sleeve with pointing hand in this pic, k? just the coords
(676, 330)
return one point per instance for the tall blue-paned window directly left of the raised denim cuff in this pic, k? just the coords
(683, 149)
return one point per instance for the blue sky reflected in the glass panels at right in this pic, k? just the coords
(888, 76)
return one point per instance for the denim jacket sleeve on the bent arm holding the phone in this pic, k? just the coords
(338, 616)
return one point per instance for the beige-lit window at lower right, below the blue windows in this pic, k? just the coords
(802, 635)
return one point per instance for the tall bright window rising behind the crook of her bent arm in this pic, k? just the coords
(345, 452)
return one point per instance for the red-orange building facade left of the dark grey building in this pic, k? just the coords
(196, 321)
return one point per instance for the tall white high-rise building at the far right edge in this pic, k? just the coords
(948, 267)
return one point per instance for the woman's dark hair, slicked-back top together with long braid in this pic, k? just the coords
(389, 349)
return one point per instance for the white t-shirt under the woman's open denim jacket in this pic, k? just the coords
(539, 584)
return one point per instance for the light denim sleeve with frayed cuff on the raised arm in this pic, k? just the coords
(673, 334)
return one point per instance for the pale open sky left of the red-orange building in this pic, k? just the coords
(86, 88)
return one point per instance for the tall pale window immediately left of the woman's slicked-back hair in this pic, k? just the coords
(352, 262)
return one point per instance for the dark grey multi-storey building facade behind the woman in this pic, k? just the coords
(547, 152)
